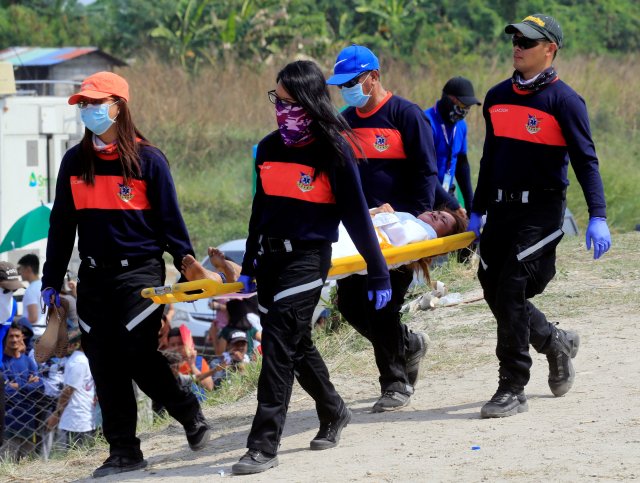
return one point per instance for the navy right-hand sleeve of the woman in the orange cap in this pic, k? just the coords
(162, 194)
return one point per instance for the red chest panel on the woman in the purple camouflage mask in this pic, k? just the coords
(293, 180)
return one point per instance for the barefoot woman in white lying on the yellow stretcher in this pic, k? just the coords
(394, 228)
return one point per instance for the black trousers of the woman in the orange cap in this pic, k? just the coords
(108, 300)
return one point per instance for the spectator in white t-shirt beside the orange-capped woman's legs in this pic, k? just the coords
(75, 413)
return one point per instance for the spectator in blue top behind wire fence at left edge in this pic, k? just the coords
(24, 390)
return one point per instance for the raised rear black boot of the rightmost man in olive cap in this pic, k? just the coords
(562, 348)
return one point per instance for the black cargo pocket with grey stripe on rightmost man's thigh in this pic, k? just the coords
(539, 261)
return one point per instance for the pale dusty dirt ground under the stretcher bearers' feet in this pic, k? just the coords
(593, 433)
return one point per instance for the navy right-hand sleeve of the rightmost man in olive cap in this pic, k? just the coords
(574, 121)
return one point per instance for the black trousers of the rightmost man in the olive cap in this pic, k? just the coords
(518, 253)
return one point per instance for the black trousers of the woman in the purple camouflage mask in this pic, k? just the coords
(289, 286)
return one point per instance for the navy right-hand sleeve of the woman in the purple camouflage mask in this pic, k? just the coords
(355, 216)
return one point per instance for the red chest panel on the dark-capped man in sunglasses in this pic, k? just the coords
(526, 124)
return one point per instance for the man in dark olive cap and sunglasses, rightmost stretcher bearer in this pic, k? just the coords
(535, 125)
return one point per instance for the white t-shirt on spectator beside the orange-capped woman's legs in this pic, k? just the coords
(78, 416)
